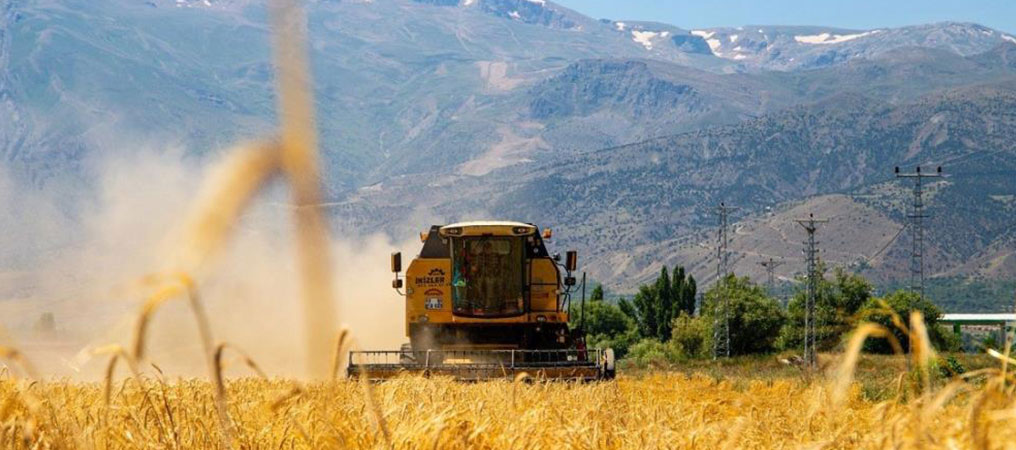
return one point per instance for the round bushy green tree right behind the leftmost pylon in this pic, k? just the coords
(755, 318)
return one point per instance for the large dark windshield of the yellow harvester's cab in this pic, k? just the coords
(488, 277)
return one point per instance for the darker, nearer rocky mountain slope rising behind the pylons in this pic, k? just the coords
(848, 145)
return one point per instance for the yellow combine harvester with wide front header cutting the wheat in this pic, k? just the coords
(486, 300)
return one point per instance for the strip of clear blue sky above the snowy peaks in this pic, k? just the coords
(863, 15)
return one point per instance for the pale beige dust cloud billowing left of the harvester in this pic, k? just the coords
(77, 258)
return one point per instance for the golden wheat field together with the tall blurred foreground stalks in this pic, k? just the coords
(146, 410)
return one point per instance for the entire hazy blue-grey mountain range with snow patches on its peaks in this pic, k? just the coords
(624, 136)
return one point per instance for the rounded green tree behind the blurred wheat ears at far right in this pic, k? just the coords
(903, 303)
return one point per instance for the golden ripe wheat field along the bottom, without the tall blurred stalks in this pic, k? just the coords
(656, 411)
